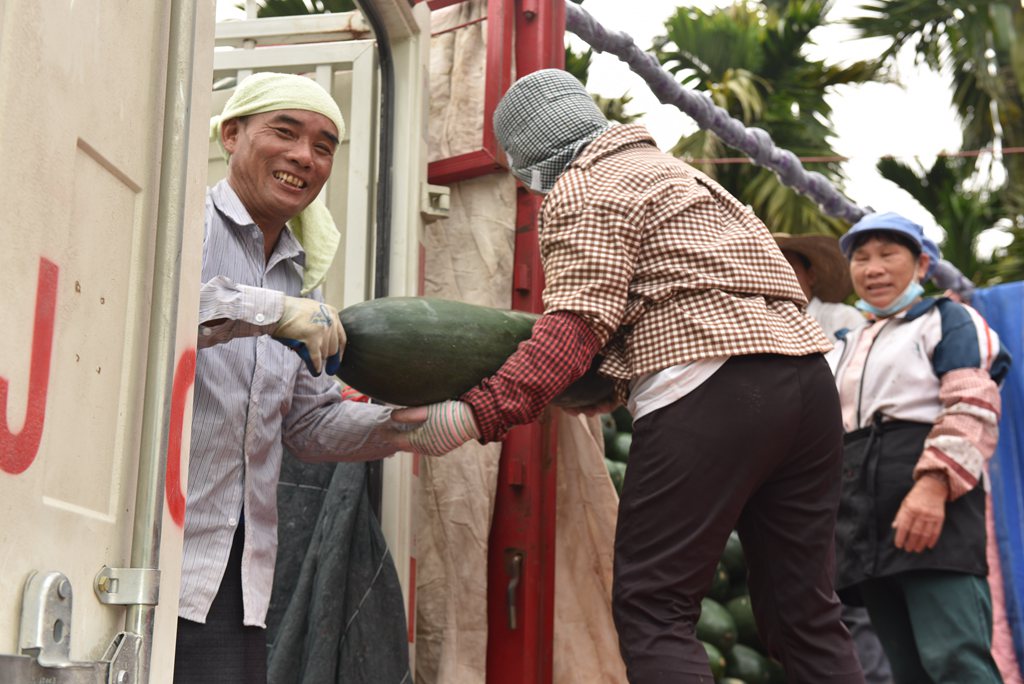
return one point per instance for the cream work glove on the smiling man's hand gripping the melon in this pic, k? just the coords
(314, 331)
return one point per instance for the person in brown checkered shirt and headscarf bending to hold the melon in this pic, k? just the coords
(702, 324)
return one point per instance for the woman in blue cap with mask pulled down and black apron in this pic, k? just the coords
(921, 409)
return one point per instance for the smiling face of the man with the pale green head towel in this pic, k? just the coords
(279, 162)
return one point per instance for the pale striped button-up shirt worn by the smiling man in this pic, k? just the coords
(252, 398)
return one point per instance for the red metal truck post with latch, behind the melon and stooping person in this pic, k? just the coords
(522, 564)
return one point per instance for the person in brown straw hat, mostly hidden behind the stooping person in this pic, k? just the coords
(825, 278)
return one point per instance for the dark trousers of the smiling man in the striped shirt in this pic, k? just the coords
(223, 651)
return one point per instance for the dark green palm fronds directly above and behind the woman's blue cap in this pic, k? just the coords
(963, 213)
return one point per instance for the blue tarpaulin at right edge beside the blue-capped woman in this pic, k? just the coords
(1003, 307)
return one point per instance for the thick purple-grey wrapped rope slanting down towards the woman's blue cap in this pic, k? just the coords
(755, 143)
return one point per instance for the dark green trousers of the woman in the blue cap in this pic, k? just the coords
(935, 626)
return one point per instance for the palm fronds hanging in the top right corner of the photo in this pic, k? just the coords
(982, 45)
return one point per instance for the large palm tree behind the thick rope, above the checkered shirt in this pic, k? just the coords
(750, 59)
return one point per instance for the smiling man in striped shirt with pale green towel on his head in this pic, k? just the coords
(267, 244)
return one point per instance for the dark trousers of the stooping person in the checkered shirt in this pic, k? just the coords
(757, 448)
